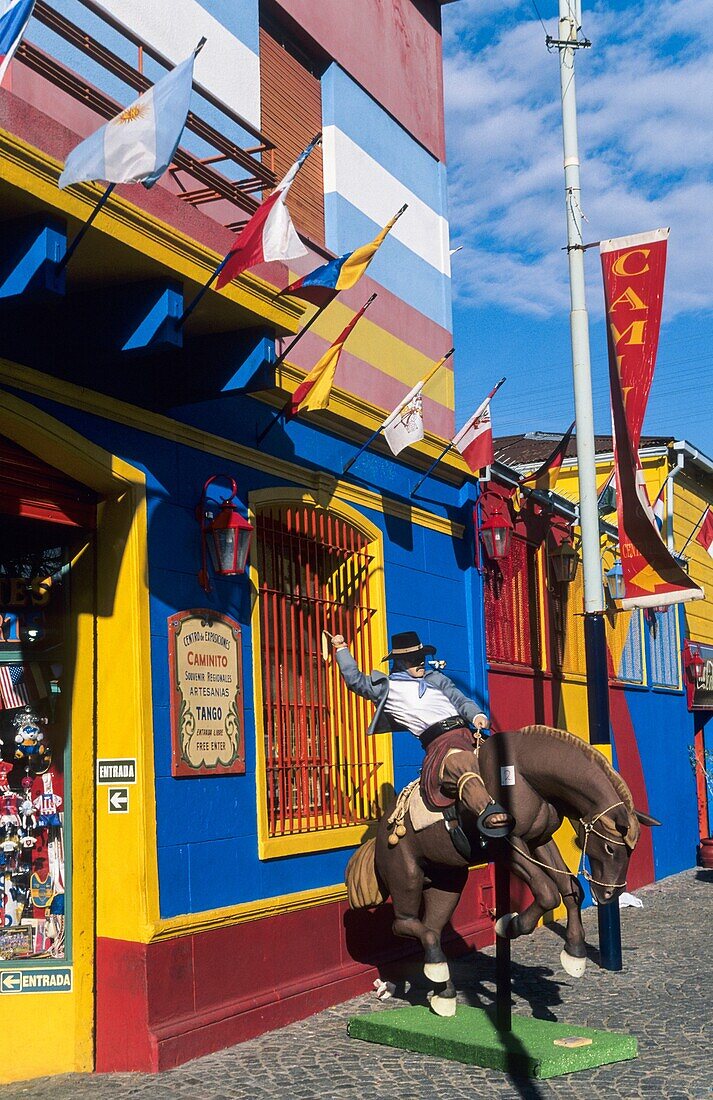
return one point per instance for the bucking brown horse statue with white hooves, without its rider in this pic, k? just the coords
(540, 776)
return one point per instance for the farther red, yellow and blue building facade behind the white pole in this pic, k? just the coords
(536, 646)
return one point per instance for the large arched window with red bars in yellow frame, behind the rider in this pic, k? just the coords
(316, 573)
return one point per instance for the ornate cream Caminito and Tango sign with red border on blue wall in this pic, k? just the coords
(205, 664)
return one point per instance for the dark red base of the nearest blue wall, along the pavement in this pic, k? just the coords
(161, 1005)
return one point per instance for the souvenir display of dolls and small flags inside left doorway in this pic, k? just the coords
(34, 745)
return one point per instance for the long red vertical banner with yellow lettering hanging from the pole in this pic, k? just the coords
(634, 269)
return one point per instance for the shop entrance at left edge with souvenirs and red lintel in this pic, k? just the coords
(47, 541)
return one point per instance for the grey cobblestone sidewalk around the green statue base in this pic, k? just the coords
(664, 997)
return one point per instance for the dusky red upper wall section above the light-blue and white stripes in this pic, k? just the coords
(392, 49)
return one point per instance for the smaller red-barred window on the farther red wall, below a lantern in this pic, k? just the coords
(512, 608)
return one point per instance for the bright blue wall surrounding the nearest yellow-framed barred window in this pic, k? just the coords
(207, 829)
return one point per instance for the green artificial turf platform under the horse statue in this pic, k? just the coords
(471, 1037)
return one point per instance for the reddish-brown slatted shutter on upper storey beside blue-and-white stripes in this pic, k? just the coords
(291, 97)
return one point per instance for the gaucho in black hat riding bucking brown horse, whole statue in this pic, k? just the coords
(500, 799)
